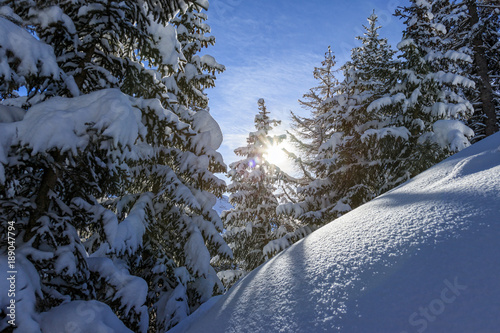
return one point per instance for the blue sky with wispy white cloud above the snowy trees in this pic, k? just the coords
(270, 48)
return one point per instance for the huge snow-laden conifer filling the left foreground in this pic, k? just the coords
(100, 179)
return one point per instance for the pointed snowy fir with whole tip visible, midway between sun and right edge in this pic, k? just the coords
(360, 148)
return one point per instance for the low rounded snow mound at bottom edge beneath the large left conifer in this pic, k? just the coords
(82, 317)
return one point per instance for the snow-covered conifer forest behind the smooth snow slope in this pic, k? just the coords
(109, 161)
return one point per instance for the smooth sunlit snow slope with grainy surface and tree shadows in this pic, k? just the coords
(424, 257)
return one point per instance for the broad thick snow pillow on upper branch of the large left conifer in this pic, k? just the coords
(63, 123)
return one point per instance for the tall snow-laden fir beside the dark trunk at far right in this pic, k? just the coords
(425, 100)
